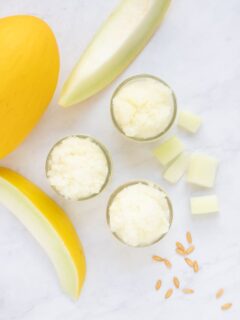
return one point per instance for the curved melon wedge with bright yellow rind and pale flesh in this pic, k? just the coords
(49, 225)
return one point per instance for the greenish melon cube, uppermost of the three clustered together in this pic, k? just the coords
(169, 150)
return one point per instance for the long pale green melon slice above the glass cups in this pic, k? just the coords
(123, 35)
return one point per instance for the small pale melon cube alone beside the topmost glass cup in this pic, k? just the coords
(189, 121)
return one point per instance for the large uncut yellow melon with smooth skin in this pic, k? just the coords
(29, 68)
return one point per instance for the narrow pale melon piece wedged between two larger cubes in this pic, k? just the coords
(177, 169)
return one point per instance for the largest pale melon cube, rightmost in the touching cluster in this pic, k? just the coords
(202, 170)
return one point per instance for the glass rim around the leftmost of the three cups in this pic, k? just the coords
(106, 154)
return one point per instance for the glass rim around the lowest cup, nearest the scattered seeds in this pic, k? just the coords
(130, 183)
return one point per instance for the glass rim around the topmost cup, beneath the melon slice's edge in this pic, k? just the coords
(159, 135)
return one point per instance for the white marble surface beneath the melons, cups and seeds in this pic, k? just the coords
(197, 52)
